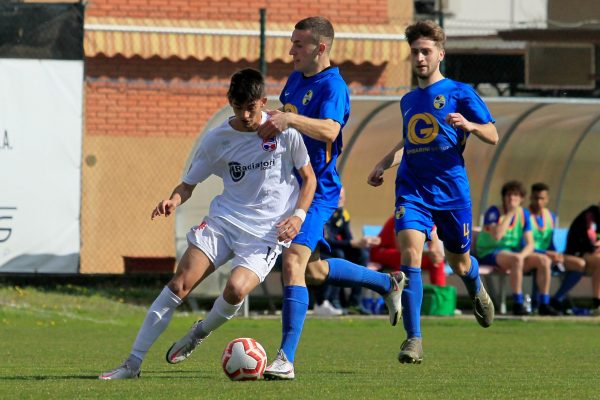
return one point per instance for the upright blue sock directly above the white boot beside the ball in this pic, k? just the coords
(293, 313)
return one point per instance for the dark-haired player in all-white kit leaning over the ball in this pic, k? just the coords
(262, 207)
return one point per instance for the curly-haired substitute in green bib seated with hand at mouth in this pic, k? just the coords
(506, 241)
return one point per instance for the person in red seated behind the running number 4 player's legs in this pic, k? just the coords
(387, 254)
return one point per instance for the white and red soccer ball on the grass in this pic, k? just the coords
(244, 359)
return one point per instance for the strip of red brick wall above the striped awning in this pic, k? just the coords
(338, 11)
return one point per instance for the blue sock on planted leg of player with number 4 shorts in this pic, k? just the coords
(412, 298)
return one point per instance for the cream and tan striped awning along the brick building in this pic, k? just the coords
(234, 40)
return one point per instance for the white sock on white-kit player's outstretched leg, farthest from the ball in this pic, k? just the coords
(158, 317)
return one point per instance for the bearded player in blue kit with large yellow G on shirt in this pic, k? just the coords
(432, 185)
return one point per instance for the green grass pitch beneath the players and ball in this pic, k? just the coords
(54, 346)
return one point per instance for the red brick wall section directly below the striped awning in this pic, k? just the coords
(175, 98)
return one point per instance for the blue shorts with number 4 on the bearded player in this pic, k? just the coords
(453, 226)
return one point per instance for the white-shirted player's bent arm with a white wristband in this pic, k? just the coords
(289, 227)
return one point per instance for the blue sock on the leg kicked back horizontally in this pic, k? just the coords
(347, 274)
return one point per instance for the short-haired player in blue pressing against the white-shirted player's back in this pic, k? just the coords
(316, 101)
